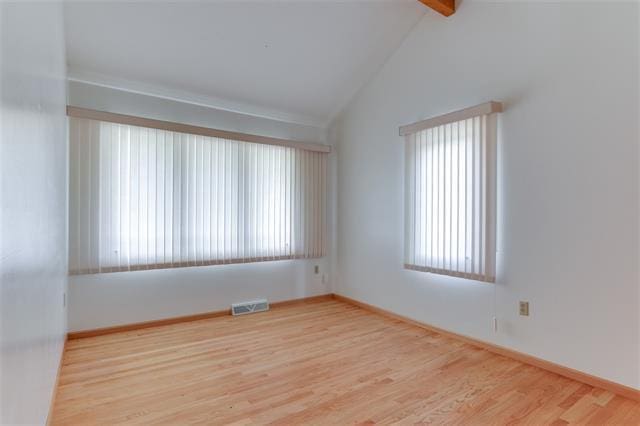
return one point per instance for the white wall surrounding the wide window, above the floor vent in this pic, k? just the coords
(104, 300)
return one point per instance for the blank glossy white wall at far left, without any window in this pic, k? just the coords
(33, 201)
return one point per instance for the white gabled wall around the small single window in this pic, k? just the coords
(568, 188)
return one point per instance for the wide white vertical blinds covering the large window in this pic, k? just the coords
(144, 198)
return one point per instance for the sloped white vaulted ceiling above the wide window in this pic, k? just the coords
(296, 61)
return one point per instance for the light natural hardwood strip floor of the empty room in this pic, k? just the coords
(321, 362)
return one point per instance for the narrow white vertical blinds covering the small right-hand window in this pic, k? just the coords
(450, 198)
